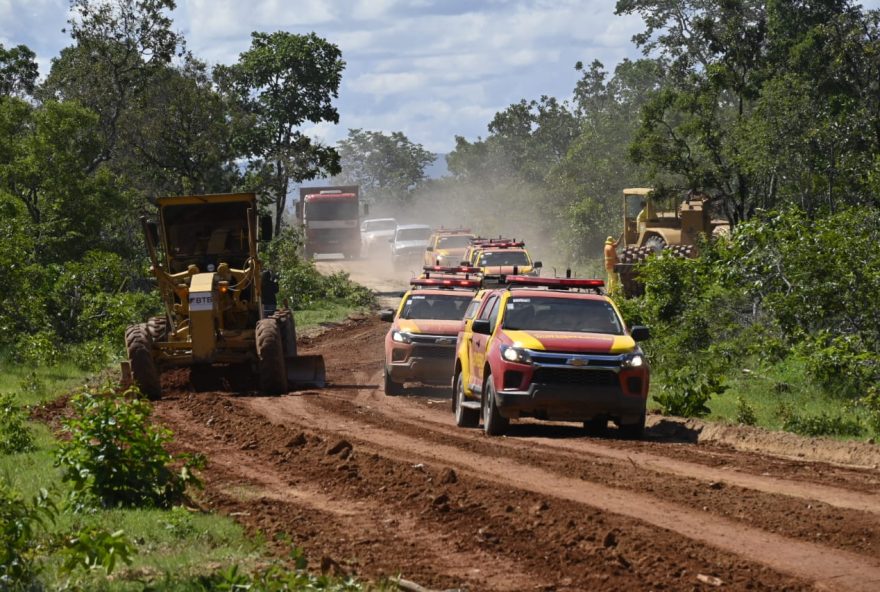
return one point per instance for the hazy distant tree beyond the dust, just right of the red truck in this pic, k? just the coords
(388, 167)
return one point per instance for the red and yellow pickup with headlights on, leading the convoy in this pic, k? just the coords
(554, 349)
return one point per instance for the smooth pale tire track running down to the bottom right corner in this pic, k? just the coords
(825, 566)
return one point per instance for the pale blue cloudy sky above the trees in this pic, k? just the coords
(432, 69)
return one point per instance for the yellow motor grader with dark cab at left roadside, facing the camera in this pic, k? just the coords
(219, 301)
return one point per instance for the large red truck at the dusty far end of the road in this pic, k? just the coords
(330, 219)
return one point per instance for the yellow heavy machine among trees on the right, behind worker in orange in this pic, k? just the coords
(647, 230)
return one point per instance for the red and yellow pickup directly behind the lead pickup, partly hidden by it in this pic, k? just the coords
(420, 345)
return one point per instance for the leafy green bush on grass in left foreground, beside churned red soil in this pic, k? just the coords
(117, 457)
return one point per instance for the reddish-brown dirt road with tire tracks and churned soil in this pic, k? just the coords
(379, 486)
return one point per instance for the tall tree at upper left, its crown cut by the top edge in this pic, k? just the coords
(119, 47)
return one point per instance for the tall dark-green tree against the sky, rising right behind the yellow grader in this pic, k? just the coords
(283, 81)
